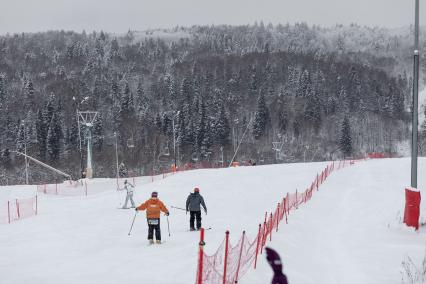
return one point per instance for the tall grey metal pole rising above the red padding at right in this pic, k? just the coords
(415, 100)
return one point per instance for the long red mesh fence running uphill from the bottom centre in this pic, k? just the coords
(230, 263)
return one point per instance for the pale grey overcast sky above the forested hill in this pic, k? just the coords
(120, 15)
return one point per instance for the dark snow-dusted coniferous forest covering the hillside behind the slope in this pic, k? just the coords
(324, 93)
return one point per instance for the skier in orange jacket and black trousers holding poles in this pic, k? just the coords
(153, 207)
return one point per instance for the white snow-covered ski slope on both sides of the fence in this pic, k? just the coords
(350, 232)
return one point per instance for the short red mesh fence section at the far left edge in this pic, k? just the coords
(14, 210)
